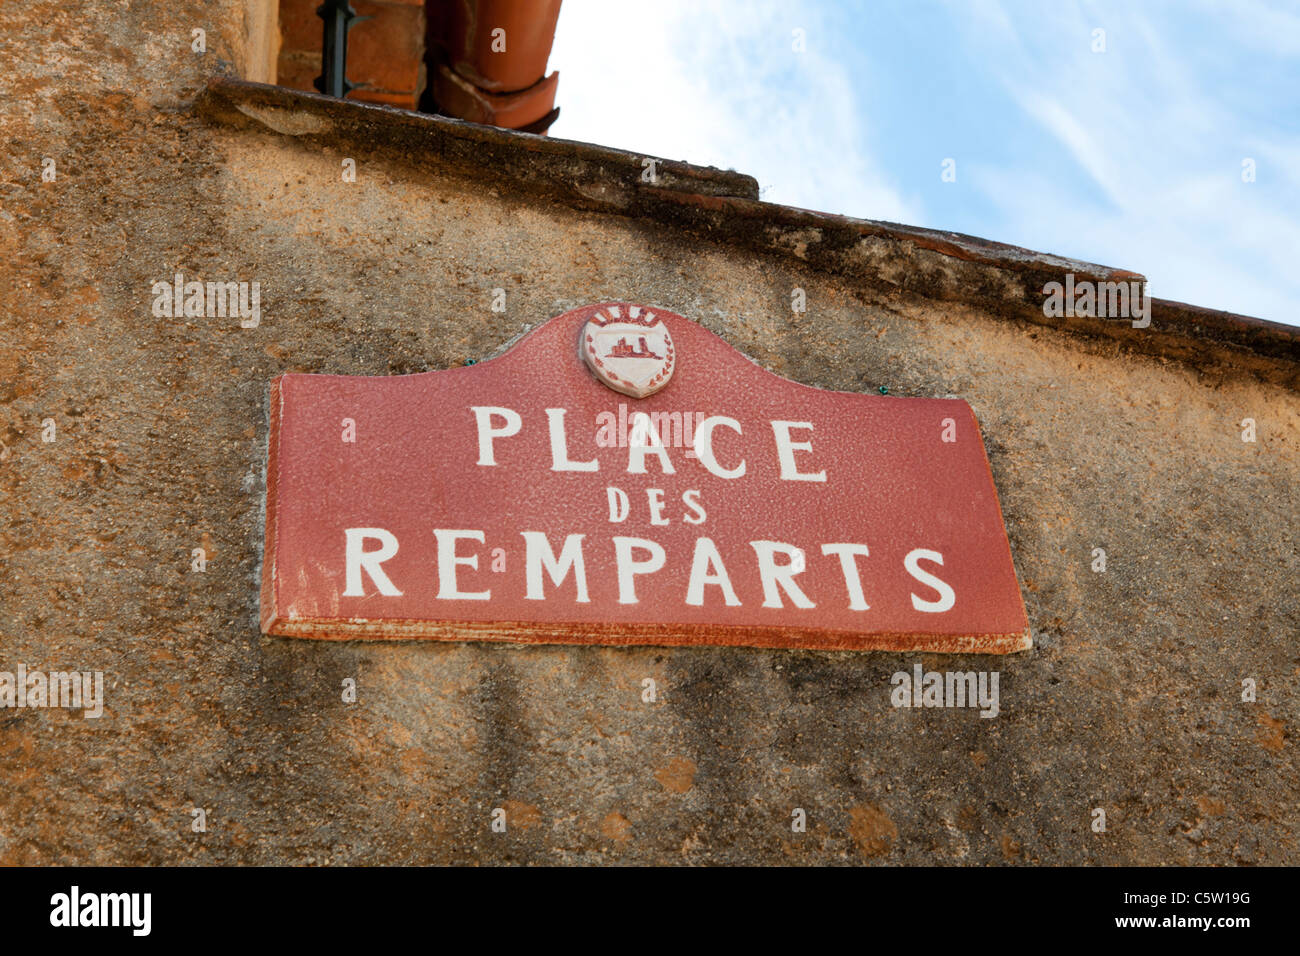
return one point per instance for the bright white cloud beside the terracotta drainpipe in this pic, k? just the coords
(721, 85)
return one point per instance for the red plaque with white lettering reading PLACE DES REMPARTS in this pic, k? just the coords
(625, 477)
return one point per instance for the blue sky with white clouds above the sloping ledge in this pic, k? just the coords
(1130, 158)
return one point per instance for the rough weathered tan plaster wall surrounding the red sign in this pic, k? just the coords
(1130, 700)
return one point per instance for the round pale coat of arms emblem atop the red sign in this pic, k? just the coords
(630, 349)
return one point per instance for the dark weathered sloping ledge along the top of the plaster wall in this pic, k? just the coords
(725, 207)
